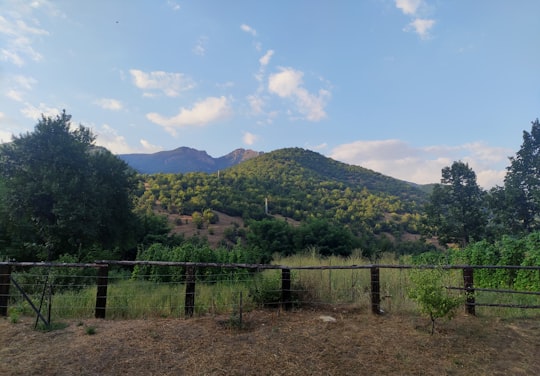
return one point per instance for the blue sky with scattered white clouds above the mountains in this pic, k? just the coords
(402, 87)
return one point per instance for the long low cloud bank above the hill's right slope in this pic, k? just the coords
(423, 165)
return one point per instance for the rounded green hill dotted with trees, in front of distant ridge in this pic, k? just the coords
(301, 185)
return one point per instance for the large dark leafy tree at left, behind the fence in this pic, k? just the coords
(64, 195)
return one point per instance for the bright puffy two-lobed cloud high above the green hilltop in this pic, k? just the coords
(288, 84)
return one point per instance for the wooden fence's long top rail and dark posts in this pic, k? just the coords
(286, 301)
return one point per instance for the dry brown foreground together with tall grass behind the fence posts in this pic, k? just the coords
(146, 333)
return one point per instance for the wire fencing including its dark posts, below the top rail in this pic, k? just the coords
(146, 290)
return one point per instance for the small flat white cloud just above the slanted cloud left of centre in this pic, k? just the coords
(171, 84)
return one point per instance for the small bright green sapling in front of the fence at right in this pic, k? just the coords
(433, 298)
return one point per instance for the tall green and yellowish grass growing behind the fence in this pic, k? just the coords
(129, 298)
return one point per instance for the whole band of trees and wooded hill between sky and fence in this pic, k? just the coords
(61, 196)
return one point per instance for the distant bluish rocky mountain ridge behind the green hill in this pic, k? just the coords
(184, 159)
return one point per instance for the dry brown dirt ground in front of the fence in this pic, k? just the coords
(273, 343)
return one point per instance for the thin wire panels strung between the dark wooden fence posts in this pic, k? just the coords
(161, 291)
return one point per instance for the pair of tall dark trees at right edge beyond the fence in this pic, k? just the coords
(460, 212)
